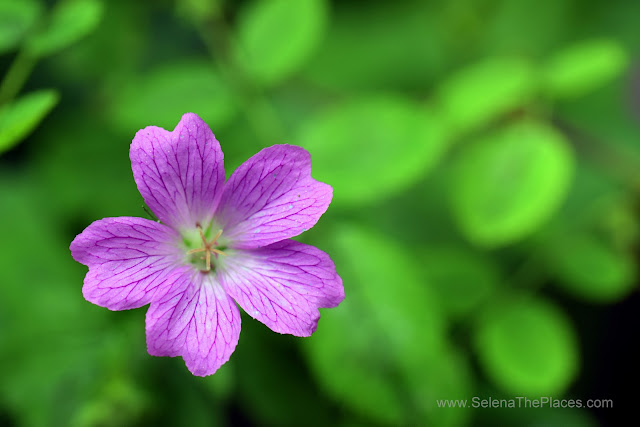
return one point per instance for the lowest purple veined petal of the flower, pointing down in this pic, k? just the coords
(196, 320)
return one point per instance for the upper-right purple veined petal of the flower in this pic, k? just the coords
(271, 197)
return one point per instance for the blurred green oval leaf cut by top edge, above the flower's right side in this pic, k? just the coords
(276, 37)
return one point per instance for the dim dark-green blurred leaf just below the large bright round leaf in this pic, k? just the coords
(463, 279)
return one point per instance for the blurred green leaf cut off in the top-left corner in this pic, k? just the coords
(17, 17)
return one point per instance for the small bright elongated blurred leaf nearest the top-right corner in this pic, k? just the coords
(584, 67)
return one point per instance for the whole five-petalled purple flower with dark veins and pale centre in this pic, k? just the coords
(218, 242)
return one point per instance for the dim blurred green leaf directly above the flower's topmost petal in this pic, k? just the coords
(161, 96)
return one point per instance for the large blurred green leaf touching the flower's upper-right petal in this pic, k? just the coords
(373, 147)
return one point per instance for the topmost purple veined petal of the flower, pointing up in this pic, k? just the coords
(180, 174)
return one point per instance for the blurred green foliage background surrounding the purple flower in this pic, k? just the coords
(485, 157)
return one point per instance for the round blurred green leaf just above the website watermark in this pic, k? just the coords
(527, 347)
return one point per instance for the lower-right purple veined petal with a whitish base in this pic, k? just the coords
(283, 285)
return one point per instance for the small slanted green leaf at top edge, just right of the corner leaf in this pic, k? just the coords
(70, 21)
